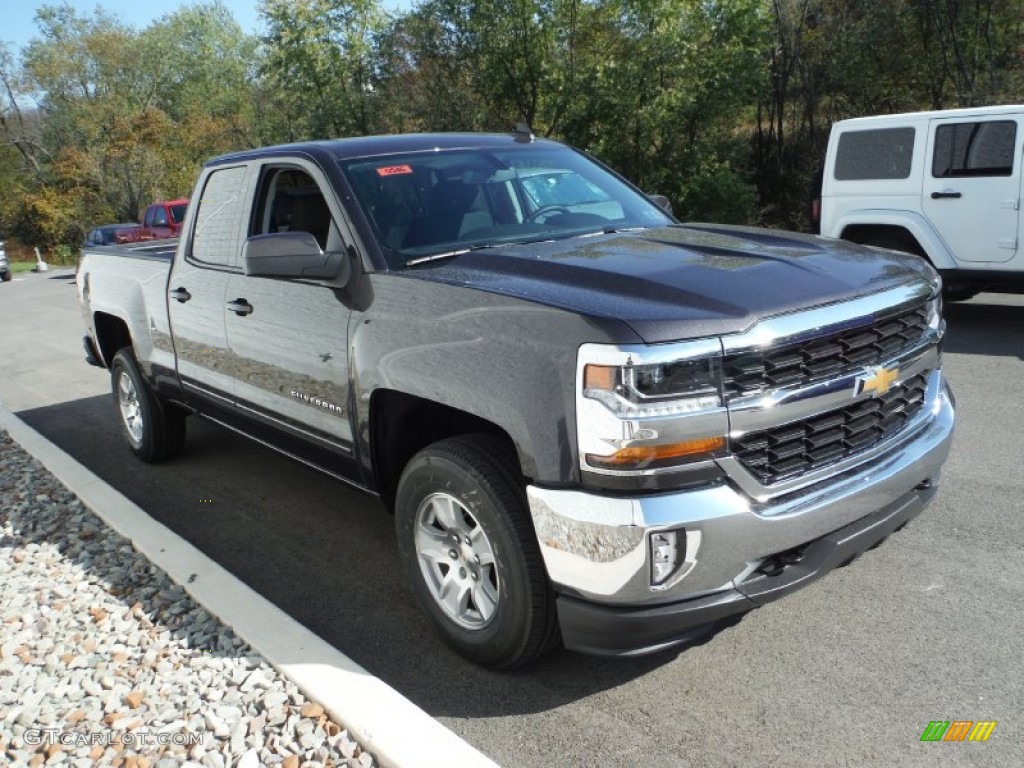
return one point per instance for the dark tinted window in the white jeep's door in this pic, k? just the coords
(985, 149)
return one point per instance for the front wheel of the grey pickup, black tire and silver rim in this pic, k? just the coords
(481, 478)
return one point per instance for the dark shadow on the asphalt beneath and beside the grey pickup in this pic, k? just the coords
(324, 553)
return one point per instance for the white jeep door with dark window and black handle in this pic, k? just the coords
(972, 186)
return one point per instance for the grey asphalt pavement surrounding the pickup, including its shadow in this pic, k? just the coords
(847, 672)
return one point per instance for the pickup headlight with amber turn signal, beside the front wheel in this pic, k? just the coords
(646, 411)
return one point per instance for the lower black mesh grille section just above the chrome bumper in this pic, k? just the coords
(794, 449)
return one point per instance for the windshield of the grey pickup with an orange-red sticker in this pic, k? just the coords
(429, 203)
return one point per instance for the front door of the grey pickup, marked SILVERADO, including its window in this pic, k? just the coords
(289, 336)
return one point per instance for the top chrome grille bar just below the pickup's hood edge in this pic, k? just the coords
(812, 324)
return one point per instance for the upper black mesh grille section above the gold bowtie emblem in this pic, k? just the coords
(793, 366)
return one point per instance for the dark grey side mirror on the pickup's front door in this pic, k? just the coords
(293, 255)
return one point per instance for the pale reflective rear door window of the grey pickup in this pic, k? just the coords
(216, 239)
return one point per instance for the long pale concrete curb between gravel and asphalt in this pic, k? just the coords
(397, 732)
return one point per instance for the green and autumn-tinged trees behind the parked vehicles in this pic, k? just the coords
(724, 106)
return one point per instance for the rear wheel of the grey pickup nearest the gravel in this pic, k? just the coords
(155, 431)
